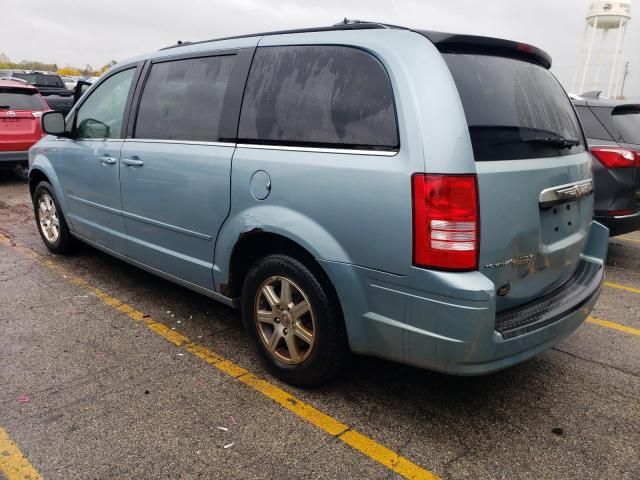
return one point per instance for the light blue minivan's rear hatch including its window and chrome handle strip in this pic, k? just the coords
(533, 168)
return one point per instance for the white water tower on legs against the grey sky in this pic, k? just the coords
(603, 16)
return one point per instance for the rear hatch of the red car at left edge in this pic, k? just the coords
(20, 112)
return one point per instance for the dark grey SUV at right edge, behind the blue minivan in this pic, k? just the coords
(612, 128)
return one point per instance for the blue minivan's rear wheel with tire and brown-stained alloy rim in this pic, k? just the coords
(293, 320)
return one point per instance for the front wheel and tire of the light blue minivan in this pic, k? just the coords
(50, 220)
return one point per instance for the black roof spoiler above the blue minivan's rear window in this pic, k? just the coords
(454, 43)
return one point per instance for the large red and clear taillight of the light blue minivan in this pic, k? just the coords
(446, 224)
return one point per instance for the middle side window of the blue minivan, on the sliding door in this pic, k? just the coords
(183, 99)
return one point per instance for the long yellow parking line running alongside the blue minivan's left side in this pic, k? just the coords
(319, 419)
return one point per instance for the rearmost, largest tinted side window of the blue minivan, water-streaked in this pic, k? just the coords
(327, 96)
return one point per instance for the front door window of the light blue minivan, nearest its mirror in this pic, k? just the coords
(101, 115)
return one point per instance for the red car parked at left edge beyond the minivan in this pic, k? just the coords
(21, 107)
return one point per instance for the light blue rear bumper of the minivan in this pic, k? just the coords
(447, 321)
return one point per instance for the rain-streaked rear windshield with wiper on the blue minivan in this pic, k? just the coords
(515, 109)
